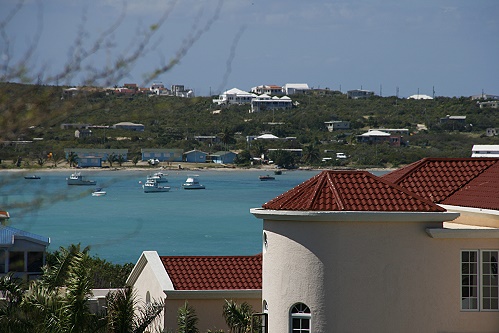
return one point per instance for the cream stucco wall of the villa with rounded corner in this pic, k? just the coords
(368, 277)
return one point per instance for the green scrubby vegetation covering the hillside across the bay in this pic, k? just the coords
(35, 113)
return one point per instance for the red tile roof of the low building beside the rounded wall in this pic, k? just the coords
(214, 272)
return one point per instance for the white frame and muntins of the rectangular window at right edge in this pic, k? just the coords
(485, 277)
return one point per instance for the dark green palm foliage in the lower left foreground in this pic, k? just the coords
(59, 301)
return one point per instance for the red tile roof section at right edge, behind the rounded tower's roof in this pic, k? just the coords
(468, 182)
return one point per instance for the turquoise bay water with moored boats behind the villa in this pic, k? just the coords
(127, 221)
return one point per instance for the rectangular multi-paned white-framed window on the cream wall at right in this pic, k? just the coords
(479, 280)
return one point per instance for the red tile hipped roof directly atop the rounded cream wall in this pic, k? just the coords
(349, 191)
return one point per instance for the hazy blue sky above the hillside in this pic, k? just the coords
(380, 45)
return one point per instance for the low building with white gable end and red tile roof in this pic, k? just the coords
(205, 282)
